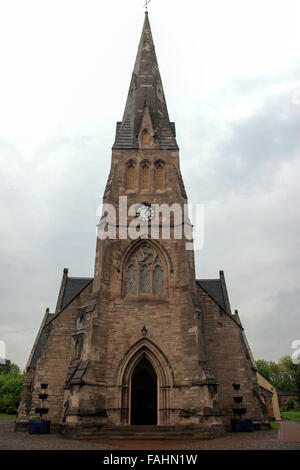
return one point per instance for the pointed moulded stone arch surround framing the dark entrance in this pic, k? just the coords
(146, 356)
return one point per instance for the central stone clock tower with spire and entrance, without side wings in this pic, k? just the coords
(141, 358)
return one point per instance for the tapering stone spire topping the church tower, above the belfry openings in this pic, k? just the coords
(145, 95)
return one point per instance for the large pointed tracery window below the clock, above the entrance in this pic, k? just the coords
(144, 274)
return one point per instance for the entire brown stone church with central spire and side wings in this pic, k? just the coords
(143, 346)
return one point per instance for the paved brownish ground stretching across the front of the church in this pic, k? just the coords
(287, 439)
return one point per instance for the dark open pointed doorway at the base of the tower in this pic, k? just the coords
(144, 394)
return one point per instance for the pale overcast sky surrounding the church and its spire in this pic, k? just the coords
(231, 76)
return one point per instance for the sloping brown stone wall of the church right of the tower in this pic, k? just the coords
(228, 357)
